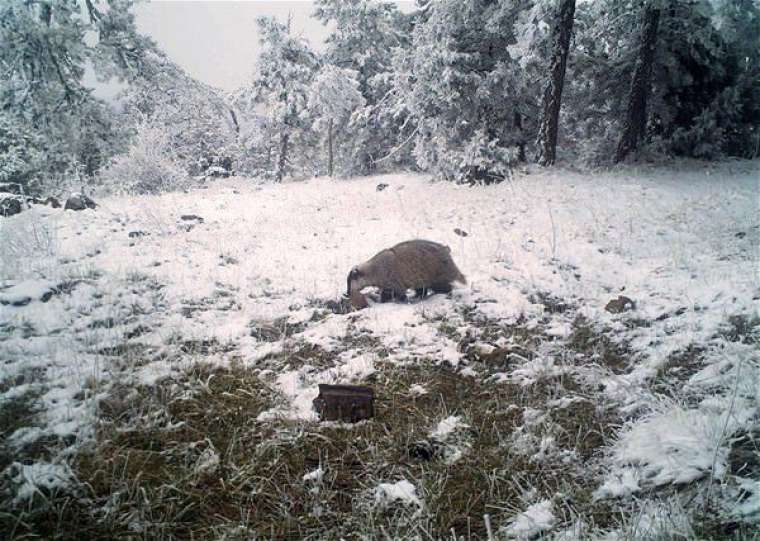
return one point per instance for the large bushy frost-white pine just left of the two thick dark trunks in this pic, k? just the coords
(458, 83)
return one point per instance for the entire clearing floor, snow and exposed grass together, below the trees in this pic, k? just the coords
(102, 306)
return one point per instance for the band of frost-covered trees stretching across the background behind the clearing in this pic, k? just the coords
(461, 89)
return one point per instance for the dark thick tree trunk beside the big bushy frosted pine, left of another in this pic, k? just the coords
(547, 135)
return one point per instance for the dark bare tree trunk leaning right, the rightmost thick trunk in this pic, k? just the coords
(636, 115)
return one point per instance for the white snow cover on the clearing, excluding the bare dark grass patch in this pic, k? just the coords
(116, 294)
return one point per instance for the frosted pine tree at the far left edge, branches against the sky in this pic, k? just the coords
(44, 48)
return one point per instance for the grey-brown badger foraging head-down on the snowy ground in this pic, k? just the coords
(421, 265)
